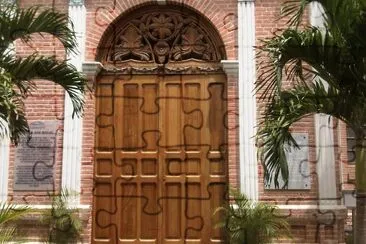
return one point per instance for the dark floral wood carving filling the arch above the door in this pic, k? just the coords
(162, 38)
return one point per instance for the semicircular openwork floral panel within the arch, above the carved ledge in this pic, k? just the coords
(161, 37)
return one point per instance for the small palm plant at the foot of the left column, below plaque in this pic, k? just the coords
(63, 220)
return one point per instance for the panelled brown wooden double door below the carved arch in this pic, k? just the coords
(160, 158)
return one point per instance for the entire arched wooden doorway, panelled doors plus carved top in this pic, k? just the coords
(161, 138)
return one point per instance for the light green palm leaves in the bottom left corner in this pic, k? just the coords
(8, 213)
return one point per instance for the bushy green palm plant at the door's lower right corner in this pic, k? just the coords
(246, 221)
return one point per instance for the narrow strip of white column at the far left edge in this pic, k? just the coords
(4, 168)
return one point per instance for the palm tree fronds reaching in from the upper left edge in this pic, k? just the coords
(17, 74)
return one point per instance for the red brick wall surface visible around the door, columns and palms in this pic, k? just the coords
(47, 103)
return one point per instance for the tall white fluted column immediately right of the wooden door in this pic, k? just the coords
(247, 99)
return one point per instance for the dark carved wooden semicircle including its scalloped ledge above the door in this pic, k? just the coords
(162, 40)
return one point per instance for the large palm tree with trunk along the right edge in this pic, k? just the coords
(327, 68)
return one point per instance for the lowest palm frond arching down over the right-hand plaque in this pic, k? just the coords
(286, 109)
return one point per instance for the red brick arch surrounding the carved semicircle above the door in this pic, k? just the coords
(220, 14)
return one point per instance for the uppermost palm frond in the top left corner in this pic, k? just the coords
(17, 23)
